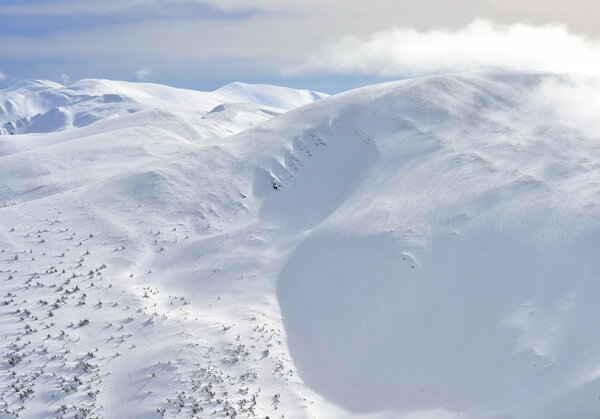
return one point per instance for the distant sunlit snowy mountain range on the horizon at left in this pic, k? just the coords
(40, 106)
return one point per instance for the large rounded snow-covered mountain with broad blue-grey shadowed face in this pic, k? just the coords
(410, 293)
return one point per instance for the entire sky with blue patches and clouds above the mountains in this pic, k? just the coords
(323, 45)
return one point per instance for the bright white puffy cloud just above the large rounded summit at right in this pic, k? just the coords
(481, 44)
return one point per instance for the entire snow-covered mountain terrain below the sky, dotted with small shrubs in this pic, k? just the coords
(422, 249)
